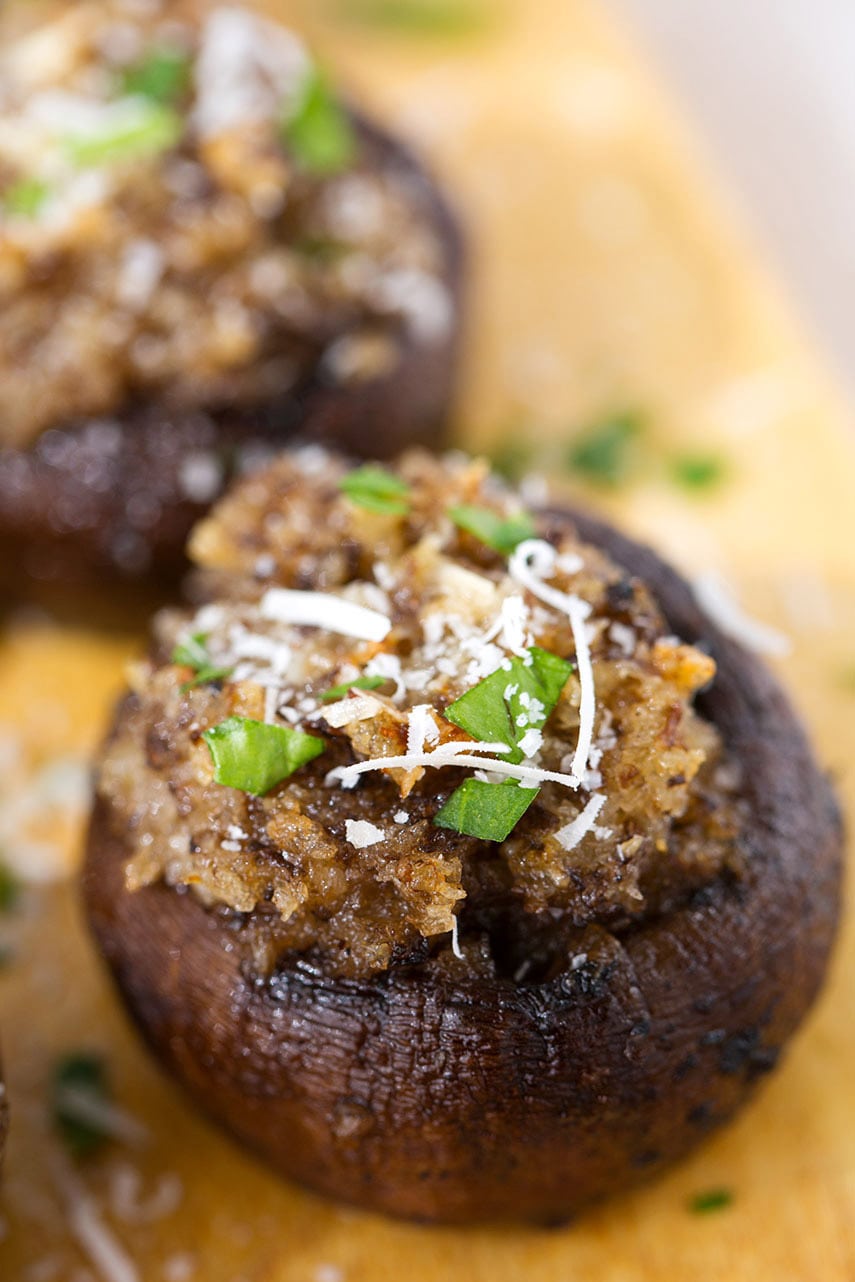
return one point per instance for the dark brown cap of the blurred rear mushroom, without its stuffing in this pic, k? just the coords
(76, 511)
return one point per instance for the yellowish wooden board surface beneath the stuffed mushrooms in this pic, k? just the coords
(607, 275)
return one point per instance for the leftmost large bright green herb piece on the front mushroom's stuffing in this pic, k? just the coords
(254, 757)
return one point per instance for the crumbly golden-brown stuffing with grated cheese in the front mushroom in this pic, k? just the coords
(330, 860)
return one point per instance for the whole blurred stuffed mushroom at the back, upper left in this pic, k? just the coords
(203, 253)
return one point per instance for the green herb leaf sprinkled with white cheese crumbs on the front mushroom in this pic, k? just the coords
(519, 698)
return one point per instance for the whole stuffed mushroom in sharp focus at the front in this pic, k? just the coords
(449, 854)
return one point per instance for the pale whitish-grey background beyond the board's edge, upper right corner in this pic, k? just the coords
(772, 87)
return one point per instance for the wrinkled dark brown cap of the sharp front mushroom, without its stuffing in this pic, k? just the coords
(470, 1099)
